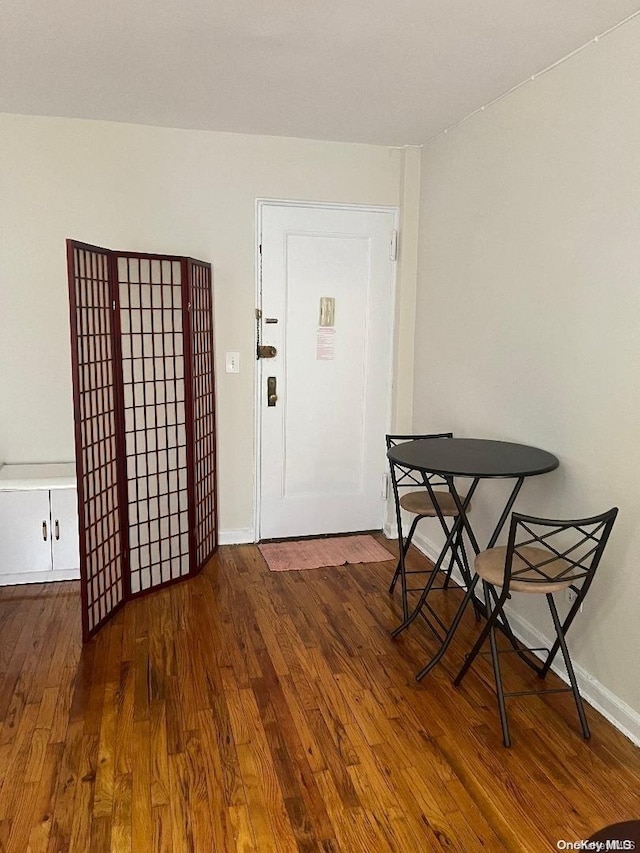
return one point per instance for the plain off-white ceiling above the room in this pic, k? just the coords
(391, 73)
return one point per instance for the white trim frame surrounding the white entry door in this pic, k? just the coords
(261, 204)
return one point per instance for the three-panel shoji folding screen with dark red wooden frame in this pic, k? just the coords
(142, 356)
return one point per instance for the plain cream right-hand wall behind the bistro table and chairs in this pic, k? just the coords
(528, 316)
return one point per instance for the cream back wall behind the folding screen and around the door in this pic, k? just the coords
(147, 189)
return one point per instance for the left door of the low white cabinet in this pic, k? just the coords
(25, 532)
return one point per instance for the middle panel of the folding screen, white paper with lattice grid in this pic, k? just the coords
(153, 366)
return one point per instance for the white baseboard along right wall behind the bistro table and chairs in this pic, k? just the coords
(614, 709)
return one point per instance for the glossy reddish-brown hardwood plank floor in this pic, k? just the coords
(253, 711)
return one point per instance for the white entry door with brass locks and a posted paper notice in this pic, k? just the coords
(327, 280)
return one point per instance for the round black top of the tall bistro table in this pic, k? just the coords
(473, 457)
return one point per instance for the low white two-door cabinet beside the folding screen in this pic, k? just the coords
(38, 524)
